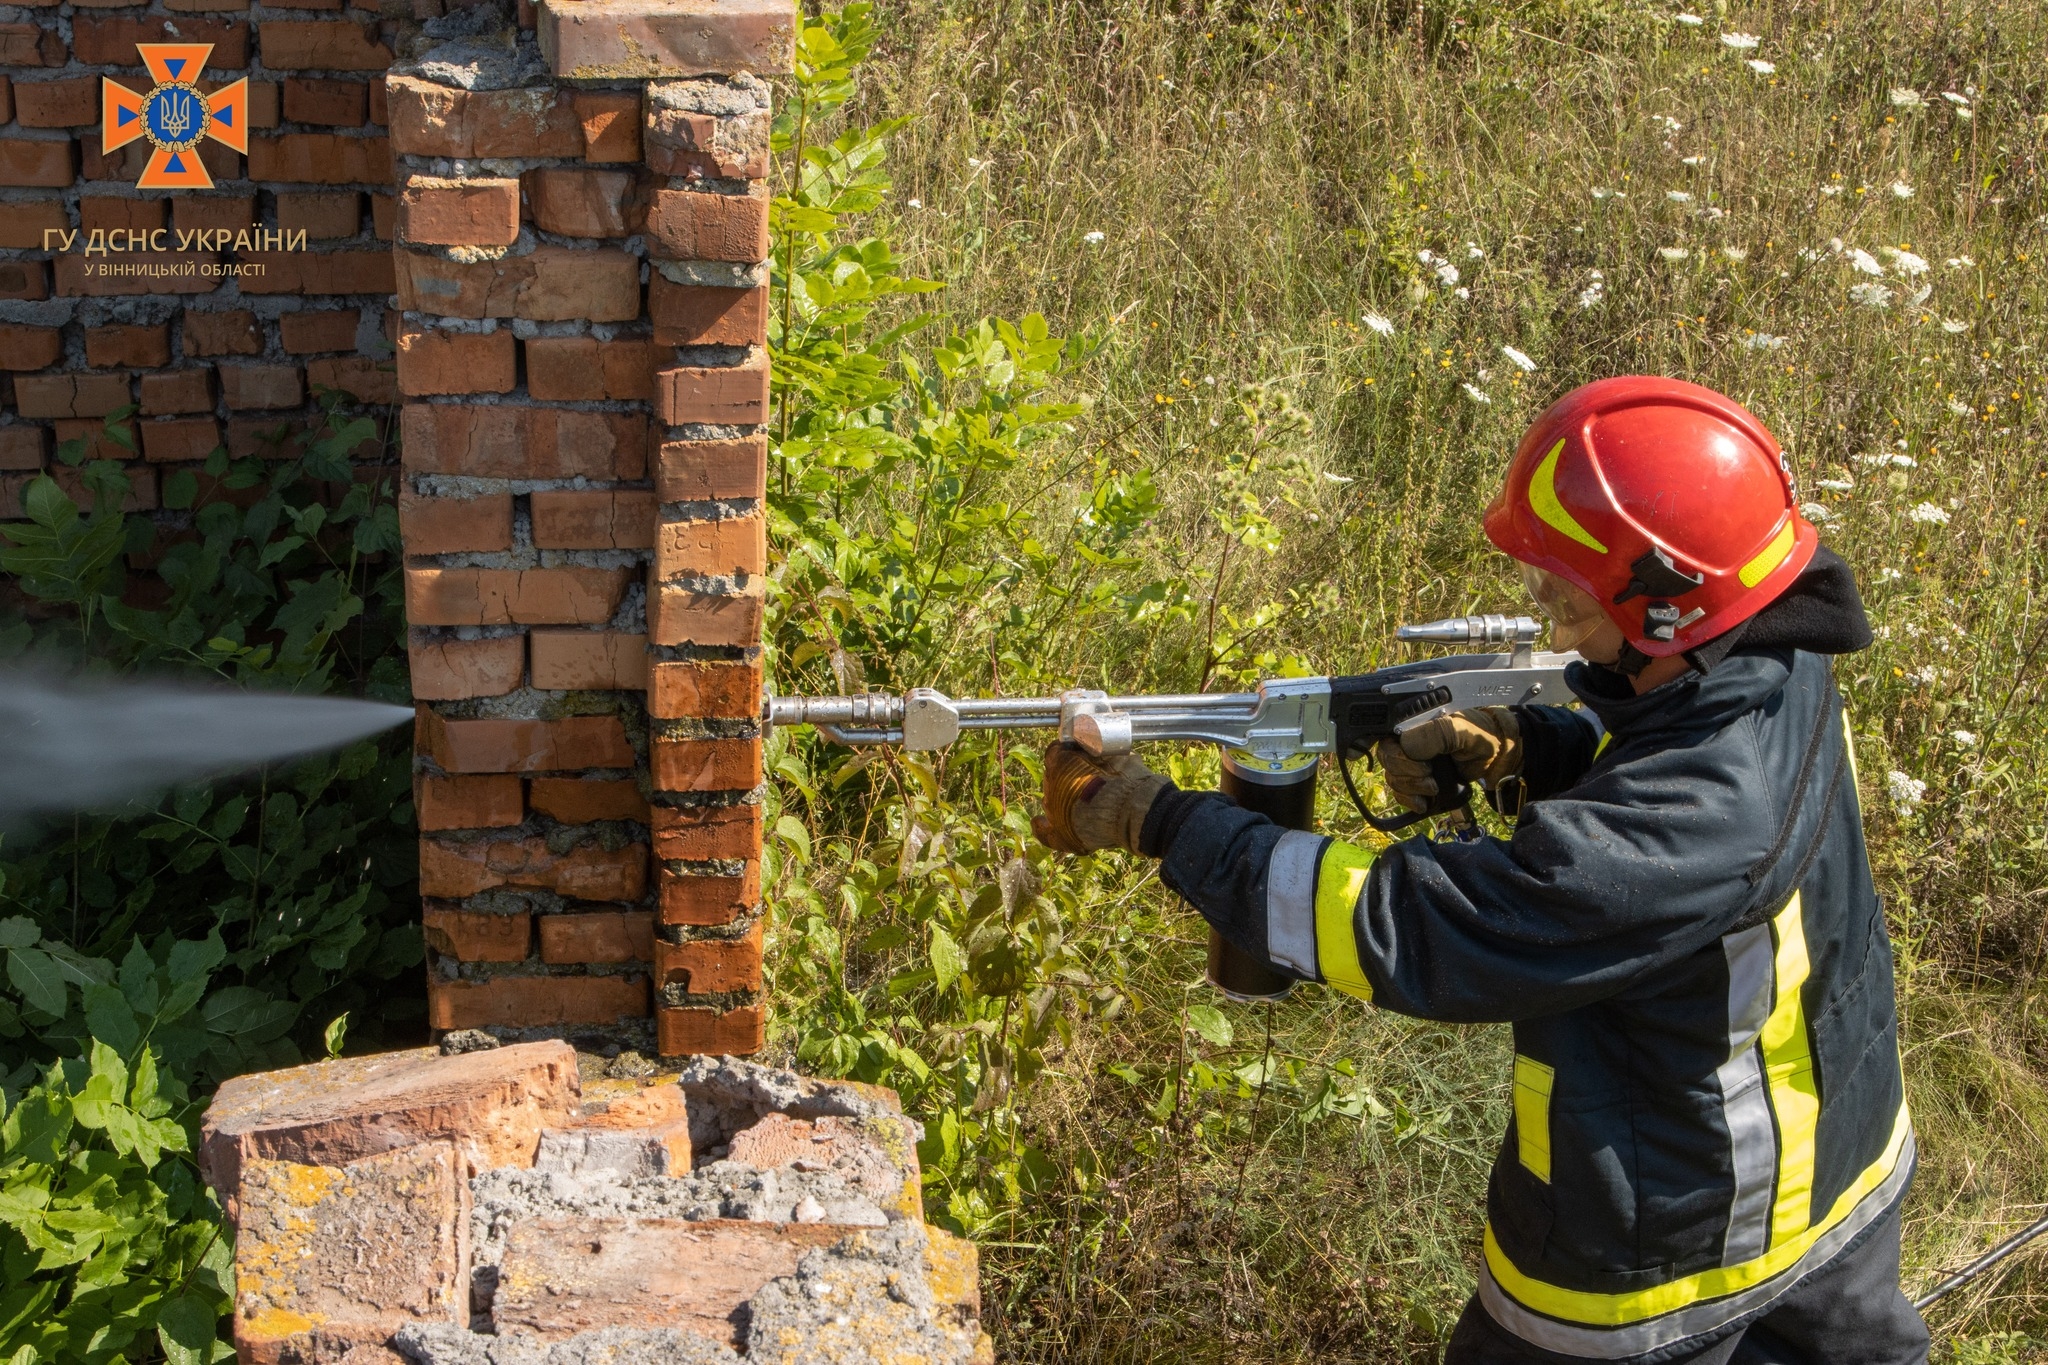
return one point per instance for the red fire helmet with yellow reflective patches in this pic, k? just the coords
(1668, 502)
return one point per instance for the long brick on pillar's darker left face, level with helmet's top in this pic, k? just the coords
(505, 441)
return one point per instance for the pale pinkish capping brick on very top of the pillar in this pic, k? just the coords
(638, 40)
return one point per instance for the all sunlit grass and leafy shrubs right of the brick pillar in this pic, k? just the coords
(1293, 247)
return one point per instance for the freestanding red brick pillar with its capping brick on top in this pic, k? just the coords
(585, 288)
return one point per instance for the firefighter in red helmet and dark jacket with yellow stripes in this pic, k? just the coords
(1709, 1141)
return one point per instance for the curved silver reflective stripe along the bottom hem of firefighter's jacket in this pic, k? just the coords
(1621, 1344)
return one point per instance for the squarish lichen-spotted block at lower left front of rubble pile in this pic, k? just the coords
(339, 1258)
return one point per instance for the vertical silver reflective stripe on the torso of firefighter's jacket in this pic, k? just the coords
(1746, 1102)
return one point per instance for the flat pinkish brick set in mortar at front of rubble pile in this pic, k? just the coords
(564, 1276)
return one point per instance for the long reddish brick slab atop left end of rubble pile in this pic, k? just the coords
(493, 1106)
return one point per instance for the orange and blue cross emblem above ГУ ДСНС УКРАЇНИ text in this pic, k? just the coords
(175, 116)
